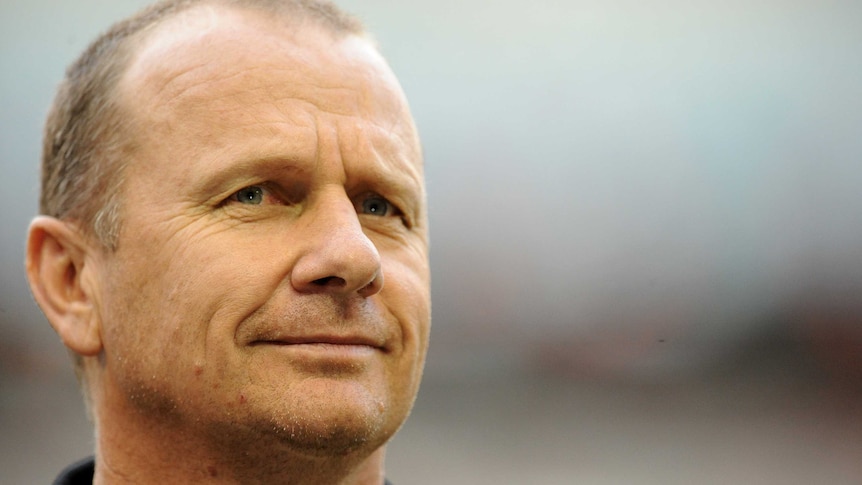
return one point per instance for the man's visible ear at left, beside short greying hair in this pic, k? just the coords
(58, 260)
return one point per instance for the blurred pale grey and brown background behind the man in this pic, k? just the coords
(646, 239)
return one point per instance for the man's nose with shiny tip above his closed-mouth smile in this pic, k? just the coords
(337, 257)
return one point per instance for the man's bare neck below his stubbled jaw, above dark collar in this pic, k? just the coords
(133, 447)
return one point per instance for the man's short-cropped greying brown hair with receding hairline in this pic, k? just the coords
(87, 143)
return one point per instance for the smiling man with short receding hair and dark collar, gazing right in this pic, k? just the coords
(234, 245)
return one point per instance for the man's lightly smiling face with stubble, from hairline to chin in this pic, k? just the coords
(271, 275)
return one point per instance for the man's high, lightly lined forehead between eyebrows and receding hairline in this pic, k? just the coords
(218, 59)
